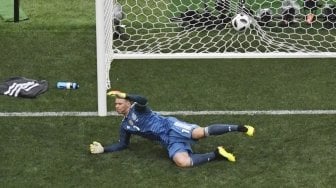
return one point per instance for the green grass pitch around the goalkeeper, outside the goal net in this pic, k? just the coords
(58, 43)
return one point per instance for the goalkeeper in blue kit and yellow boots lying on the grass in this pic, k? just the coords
(175, 135)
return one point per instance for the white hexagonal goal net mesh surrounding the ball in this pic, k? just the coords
(204, 26)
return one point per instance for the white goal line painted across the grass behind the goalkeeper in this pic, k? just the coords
(243, 112)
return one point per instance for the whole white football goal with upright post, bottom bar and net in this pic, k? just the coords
(189, 29)
